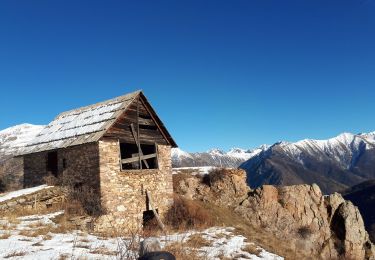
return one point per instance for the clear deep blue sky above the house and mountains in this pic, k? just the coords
(219, 73)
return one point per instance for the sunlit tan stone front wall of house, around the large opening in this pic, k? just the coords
(124, 192)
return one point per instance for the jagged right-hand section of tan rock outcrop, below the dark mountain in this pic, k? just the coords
(327, 226)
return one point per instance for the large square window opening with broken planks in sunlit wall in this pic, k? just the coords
(130, 157)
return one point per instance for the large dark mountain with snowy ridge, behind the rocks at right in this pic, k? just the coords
(334, 164)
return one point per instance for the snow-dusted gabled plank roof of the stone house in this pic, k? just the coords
(87, 124)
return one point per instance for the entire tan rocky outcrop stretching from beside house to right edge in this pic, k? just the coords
(324, 226)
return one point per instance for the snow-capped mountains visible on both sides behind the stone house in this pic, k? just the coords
(334, 164)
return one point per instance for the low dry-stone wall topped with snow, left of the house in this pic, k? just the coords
(44, 198)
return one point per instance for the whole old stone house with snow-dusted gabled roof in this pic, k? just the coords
(119, 148)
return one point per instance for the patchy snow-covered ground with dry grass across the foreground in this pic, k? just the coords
(17, 241)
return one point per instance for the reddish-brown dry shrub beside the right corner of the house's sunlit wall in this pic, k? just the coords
(188, 214)
